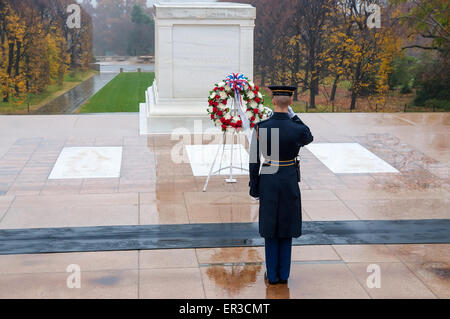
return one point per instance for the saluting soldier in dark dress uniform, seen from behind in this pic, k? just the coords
(275, 182)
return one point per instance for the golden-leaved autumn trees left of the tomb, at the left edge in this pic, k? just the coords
(37, 48)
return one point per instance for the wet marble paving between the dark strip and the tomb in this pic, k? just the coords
(147, 169)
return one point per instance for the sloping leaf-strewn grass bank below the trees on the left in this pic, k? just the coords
(71, 80)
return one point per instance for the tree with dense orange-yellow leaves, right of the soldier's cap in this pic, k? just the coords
(359, 52)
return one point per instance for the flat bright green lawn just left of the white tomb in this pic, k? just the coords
(122, 94)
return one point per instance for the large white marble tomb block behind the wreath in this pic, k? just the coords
(197, 45)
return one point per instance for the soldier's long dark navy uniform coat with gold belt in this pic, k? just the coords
(277, 139)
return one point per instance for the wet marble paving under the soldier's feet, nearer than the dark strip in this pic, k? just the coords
(232, 273)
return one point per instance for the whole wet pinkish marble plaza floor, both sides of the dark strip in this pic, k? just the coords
(152, 189)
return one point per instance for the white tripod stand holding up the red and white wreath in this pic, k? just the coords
(234, 112)
